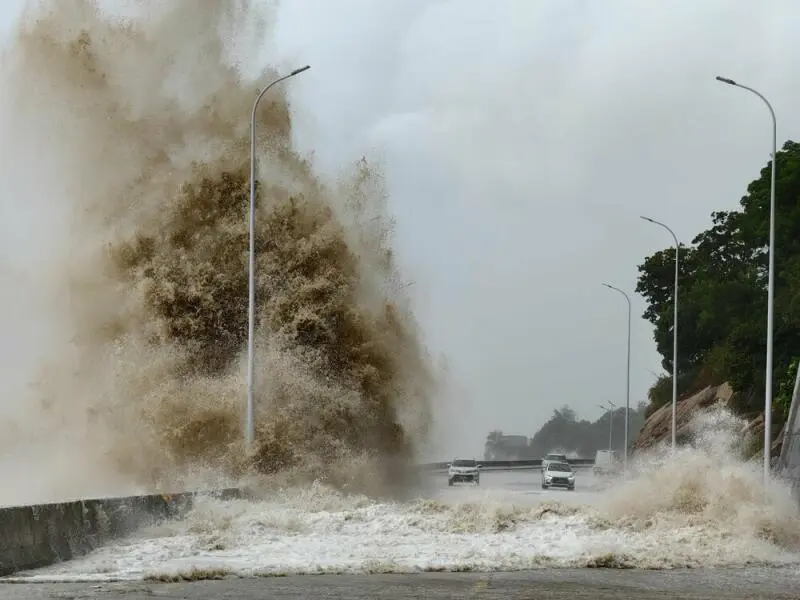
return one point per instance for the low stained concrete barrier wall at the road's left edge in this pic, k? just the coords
(37, 536)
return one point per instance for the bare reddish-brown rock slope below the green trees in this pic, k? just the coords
(658, 428)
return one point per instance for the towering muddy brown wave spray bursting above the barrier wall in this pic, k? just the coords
(141, 126)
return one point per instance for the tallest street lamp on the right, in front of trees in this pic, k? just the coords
(770, 280)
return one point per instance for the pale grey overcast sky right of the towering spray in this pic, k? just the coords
(521, 141)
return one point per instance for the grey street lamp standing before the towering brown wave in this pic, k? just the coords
(251, 312)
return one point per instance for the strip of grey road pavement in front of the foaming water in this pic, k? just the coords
(552, 584)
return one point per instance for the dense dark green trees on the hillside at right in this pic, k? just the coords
(723, 293)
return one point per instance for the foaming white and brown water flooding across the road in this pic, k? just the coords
(702, 507)
